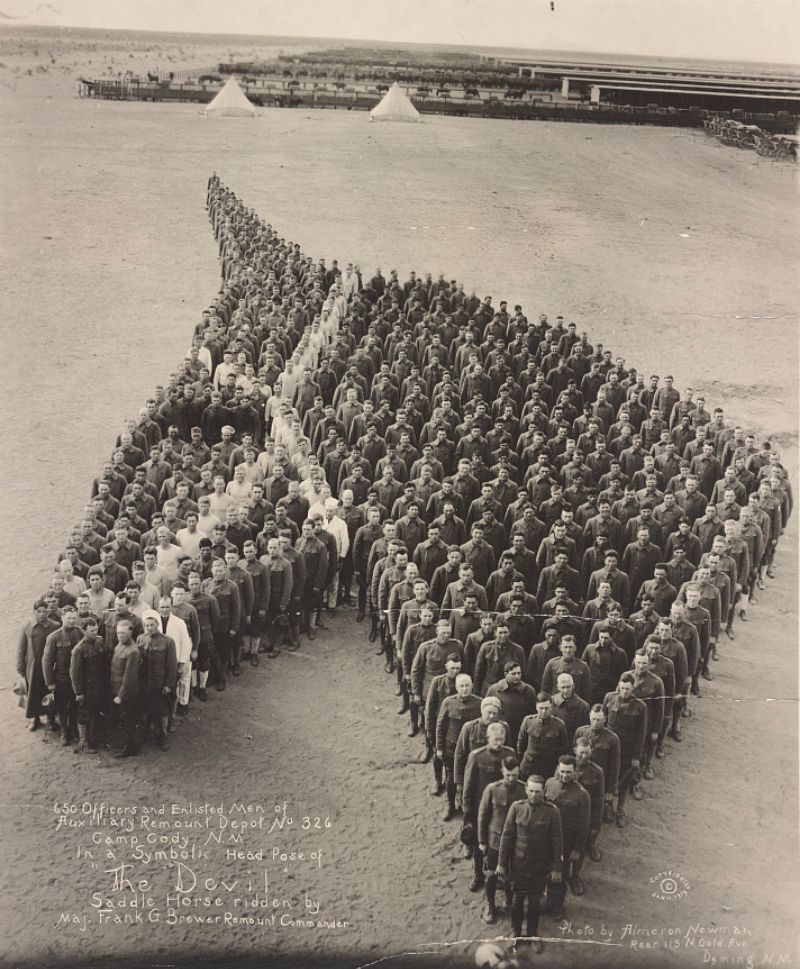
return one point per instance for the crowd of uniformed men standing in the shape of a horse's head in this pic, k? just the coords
(545, 547)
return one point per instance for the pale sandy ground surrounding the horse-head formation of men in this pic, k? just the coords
(665, 244)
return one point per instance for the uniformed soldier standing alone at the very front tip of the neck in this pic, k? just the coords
(531, 848)
